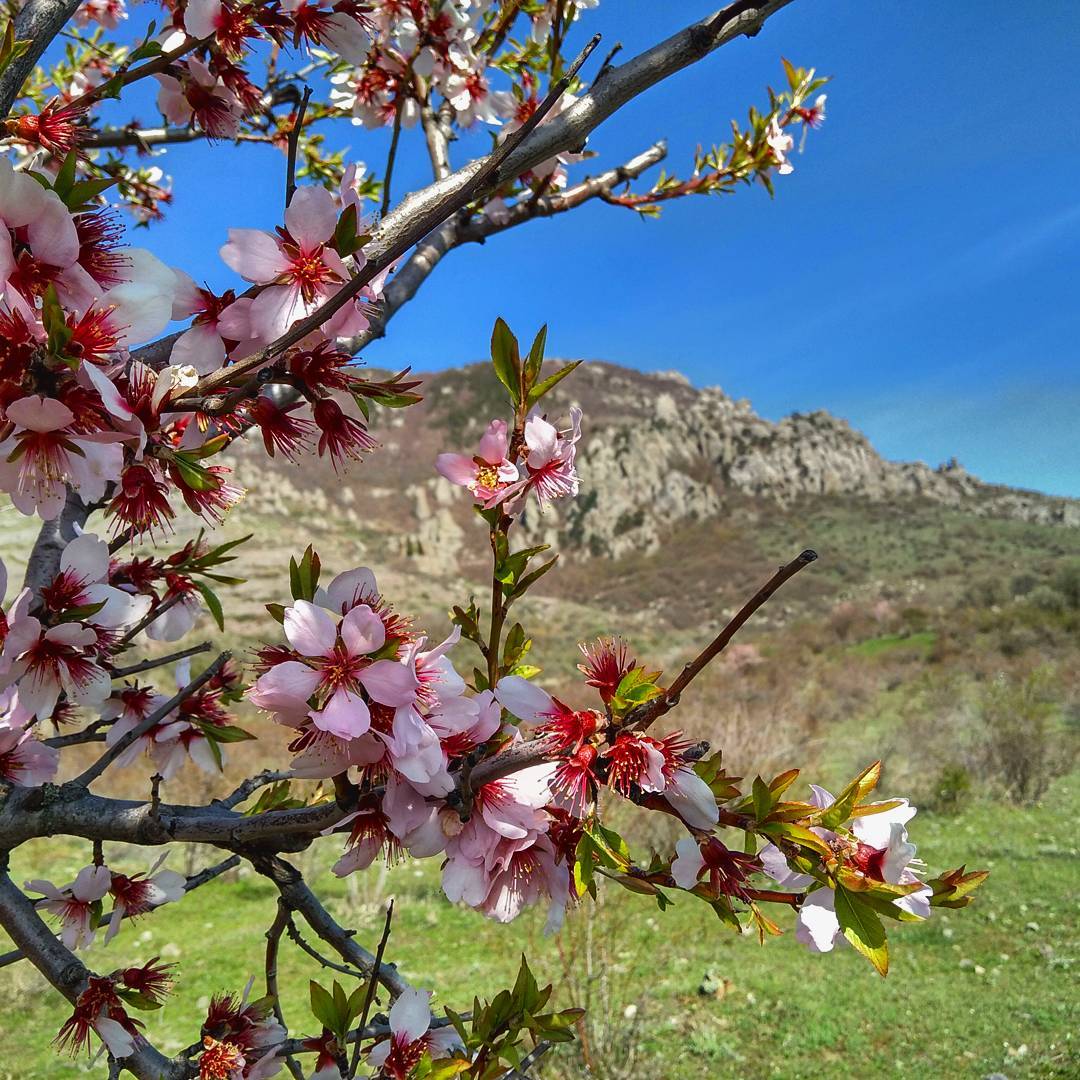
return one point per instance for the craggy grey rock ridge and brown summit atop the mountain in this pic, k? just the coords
(657, 453)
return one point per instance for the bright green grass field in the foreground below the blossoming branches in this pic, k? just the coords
(989, 990)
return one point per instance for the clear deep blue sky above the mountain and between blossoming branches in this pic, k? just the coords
(917, 274)
